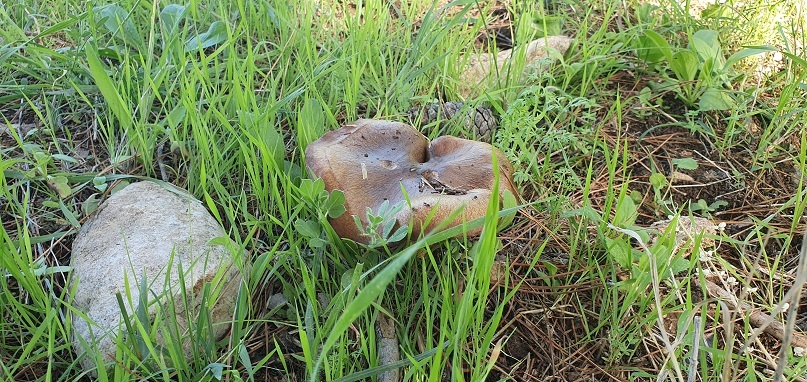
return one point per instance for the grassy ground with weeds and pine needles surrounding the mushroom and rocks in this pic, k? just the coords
(222, 97)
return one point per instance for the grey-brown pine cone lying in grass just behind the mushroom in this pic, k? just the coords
(479, 120)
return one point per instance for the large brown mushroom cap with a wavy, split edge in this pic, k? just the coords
(372, 161)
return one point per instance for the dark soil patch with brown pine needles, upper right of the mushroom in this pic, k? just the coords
(724, 182)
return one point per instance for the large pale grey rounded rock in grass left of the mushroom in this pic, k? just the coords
(145, 230)
